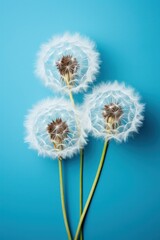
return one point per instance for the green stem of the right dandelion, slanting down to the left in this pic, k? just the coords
(92, 189)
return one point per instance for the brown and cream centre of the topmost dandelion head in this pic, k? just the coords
(68, 67)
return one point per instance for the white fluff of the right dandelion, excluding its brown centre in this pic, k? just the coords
(124, 97)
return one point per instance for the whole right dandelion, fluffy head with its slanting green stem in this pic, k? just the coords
(112, 111)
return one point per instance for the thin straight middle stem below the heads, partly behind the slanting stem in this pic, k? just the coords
(81, 189)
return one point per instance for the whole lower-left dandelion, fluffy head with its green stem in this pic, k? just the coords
(52, 130)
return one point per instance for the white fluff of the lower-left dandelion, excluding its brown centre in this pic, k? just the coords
(43, 114)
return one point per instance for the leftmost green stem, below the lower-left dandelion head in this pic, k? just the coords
(62, 199)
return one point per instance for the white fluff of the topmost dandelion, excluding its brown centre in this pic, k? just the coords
(80, 48)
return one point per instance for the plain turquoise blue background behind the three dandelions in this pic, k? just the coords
(126, 205)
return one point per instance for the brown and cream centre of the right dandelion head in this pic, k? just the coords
(112, 114)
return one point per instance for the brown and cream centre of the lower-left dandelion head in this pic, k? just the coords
(58, 131)
